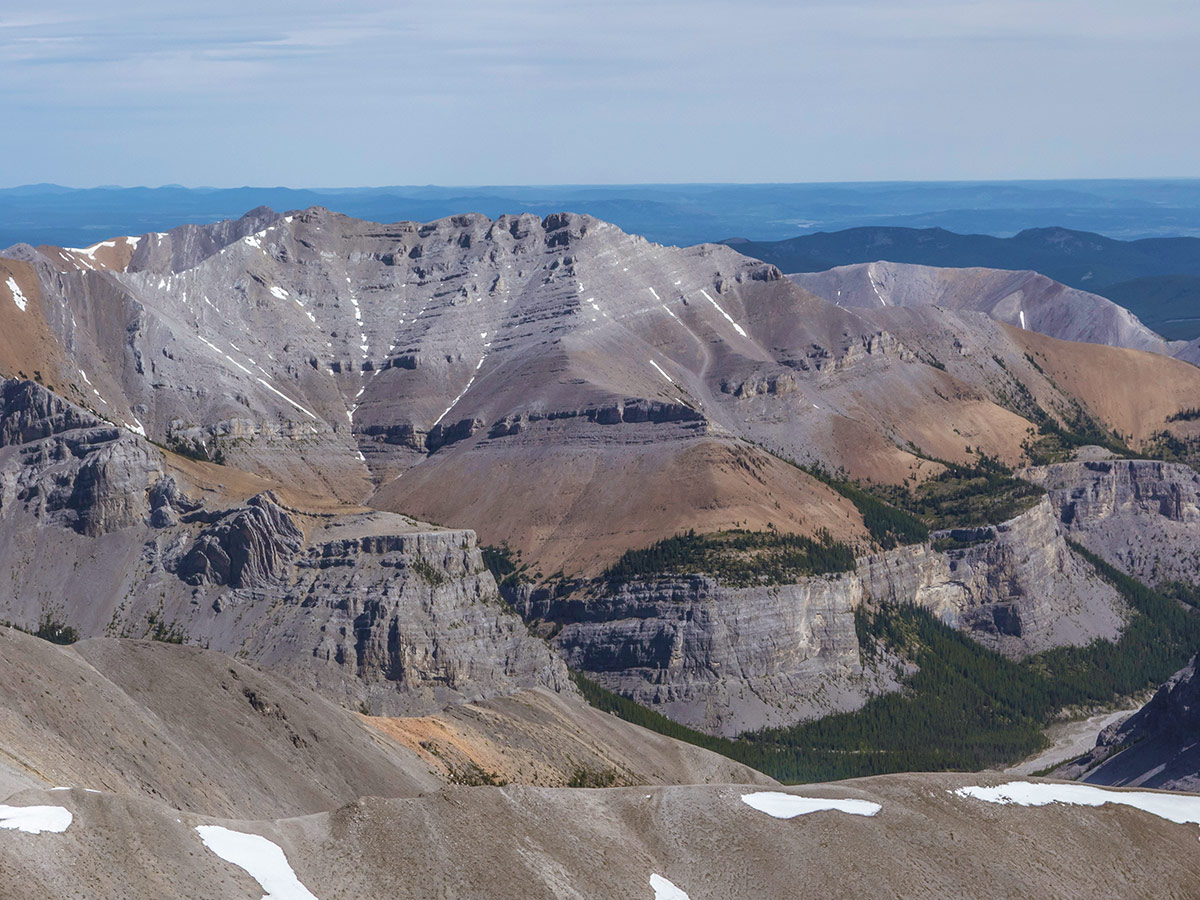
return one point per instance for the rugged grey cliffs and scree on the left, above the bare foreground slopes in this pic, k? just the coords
(368, 608)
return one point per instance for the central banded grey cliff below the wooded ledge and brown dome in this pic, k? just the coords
(719, 659)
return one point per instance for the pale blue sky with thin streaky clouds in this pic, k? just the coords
(313, 94)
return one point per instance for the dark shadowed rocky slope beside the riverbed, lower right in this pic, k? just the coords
(1156, 747)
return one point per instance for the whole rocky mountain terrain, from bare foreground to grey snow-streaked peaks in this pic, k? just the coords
(389, 506)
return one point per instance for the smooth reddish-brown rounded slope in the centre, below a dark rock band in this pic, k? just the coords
(578, 508)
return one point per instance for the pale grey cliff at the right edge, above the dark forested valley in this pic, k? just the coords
(1141, 515)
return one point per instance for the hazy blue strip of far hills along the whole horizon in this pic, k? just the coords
(667, 214)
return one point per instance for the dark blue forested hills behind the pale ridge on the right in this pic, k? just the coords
(1156, 279)
